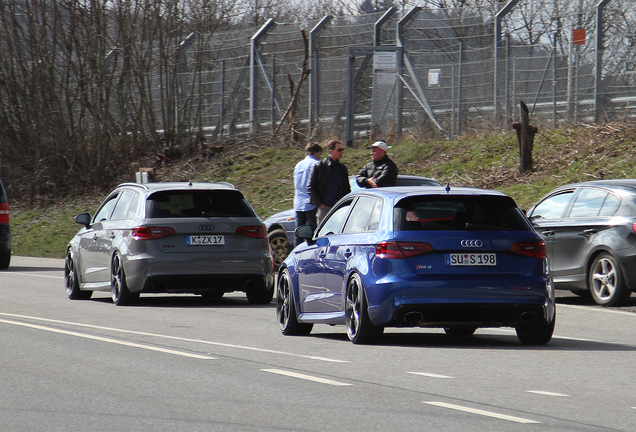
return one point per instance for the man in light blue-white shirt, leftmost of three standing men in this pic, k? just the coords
(305, 211)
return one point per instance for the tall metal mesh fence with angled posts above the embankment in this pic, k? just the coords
(420, 71)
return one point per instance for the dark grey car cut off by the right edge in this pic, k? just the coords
(590, 233)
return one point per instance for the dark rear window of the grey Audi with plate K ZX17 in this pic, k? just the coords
(213, 203)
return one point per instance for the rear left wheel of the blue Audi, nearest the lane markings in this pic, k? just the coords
(360, 329)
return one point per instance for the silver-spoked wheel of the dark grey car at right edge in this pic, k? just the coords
(605, 281)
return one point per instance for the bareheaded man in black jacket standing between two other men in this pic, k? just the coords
(328, 180)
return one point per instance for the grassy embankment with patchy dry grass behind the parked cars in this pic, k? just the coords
(265, 175)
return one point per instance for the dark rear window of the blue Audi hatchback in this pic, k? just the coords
(443, 213)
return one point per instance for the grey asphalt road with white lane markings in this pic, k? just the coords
(177, 363)
